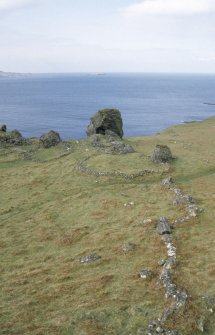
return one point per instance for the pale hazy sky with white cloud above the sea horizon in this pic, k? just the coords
(107, 36)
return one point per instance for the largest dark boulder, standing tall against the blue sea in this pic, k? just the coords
(104, 121)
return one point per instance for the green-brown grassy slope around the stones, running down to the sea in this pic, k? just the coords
(51, 214)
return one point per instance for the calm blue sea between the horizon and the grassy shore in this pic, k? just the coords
(149, 103)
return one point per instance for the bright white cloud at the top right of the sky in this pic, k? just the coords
(170, 7)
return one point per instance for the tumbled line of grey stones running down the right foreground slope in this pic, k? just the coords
(178, 297)
